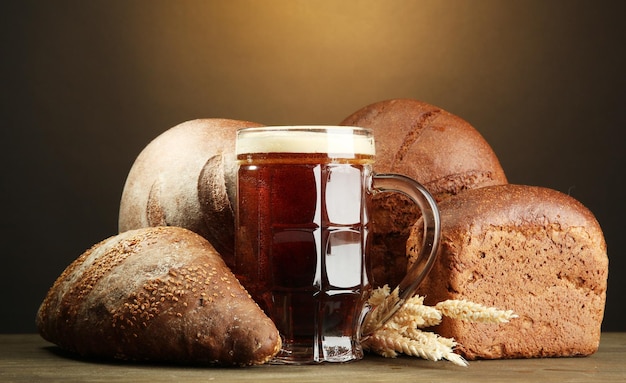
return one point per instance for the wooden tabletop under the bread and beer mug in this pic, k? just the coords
(29, 358)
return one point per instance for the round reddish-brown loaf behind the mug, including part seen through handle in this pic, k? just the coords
(434, 147)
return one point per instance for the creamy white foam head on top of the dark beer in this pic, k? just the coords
(341, 140)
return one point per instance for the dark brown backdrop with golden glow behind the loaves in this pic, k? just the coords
(87, 84)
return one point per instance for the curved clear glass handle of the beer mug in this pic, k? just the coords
(377, 316)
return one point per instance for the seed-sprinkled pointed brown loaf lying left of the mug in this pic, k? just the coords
(156, 294)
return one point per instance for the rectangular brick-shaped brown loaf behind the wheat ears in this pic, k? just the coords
(529, 249)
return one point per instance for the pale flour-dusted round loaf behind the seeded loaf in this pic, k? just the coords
(186, 177)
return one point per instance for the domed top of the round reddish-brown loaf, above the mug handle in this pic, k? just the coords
(440, 150)
